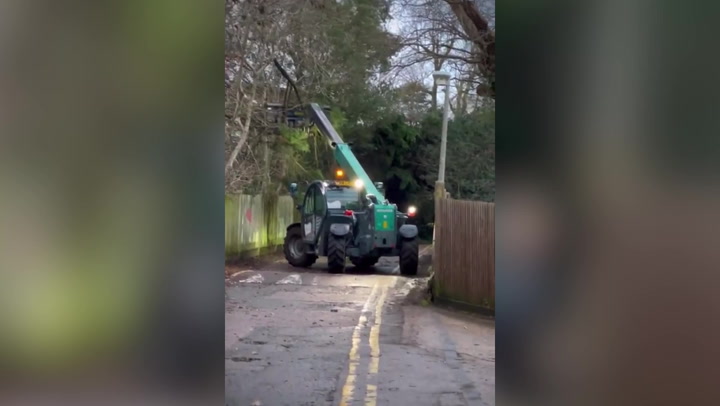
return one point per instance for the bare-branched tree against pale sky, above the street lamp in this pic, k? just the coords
(435, 37)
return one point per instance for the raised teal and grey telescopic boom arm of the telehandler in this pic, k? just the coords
(343, 155)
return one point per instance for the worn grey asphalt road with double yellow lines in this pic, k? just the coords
(301, 337)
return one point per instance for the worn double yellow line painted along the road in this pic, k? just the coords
(374, 343)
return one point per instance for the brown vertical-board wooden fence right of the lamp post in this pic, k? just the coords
(464, 252)
